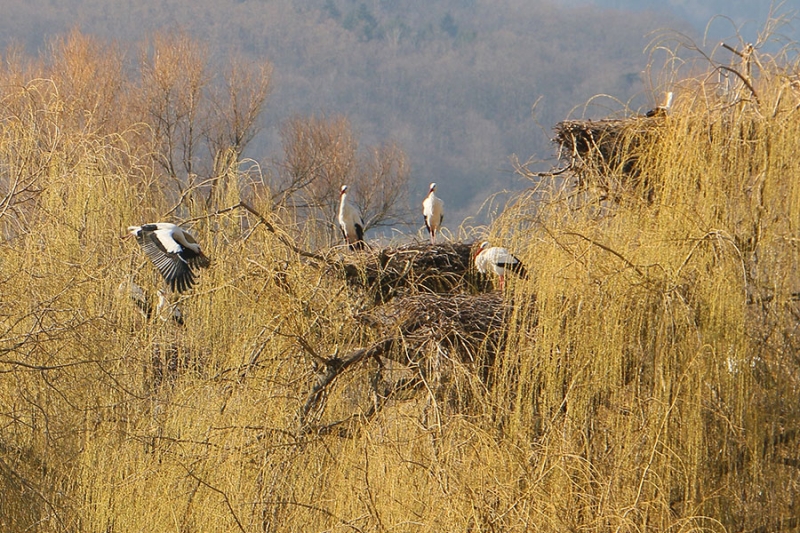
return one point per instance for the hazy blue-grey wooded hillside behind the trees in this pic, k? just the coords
(452, 82)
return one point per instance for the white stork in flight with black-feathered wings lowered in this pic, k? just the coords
(173, 251)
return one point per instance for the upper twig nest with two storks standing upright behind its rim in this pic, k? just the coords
(440, 268)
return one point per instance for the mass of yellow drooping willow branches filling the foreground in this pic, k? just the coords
(644, 379)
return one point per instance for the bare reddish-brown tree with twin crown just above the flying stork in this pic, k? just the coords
(200, 124)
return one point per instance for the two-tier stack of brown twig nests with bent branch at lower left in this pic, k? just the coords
(435, 320)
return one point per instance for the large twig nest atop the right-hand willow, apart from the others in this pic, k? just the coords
(605, 154)
